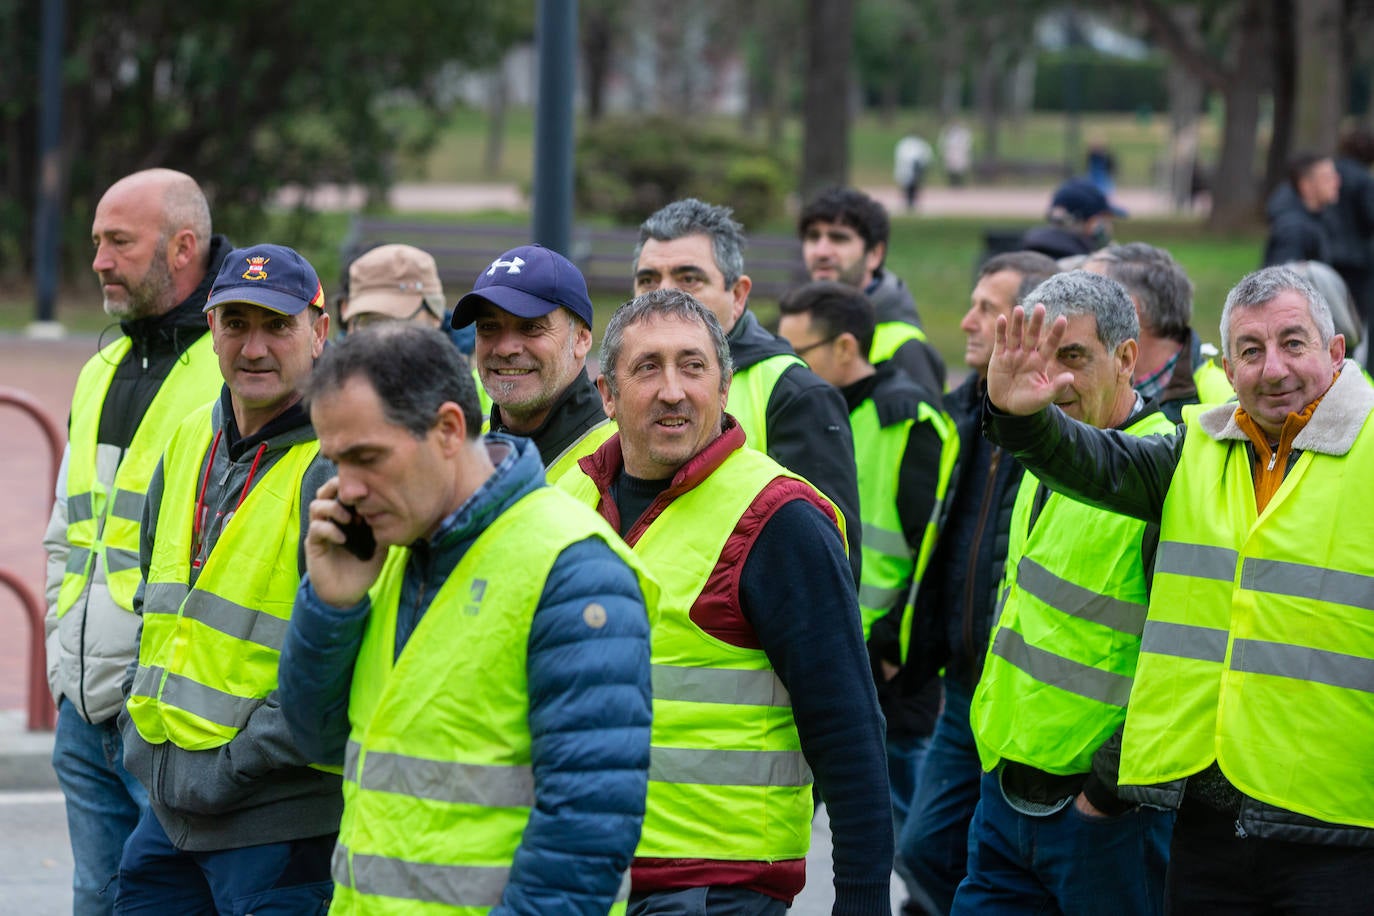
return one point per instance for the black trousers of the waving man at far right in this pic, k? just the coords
(1213, 871)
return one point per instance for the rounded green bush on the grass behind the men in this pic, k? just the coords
(630, 168)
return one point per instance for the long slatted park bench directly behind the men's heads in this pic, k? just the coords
(462, 251)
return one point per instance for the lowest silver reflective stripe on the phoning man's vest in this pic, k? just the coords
(396, 878)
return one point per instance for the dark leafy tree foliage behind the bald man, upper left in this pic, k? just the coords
(241, 95)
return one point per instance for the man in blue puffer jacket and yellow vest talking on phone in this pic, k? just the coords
(483, 675)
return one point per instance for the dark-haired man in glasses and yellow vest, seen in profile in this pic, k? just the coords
(906, 448)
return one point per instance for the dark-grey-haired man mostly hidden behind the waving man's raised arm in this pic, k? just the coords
(1175, 367)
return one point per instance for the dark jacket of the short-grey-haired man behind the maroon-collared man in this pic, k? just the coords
(809, 425)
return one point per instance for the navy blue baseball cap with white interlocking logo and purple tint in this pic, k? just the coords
(530, 282)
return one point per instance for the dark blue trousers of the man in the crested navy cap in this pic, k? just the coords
(273, 880)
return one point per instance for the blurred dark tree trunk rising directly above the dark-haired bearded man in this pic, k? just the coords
(826, 117)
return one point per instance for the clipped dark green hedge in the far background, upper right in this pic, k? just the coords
(1101, 83)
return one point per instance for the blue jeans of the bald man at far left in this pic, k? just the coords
(104, 805)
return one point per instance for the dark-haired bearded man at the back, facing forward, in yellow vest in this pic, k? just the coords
(844, 238)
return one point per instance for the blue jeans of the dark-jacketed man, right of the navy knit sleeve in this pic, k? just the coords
(934, 844)
